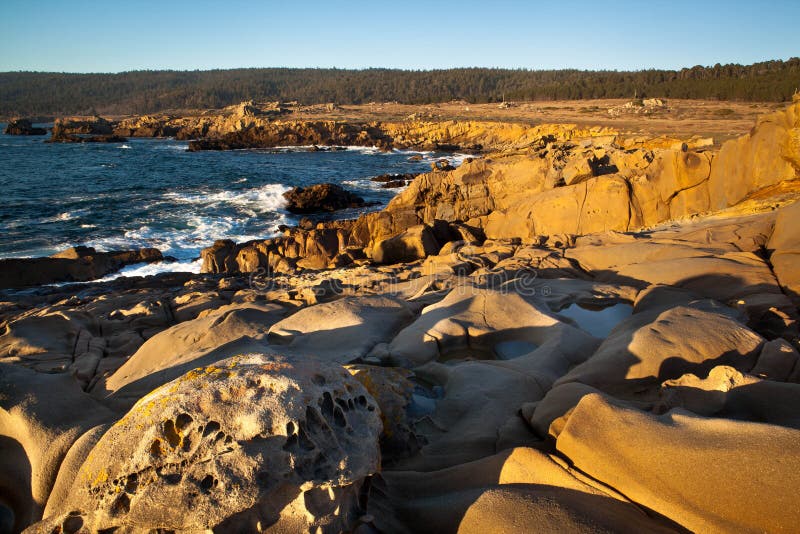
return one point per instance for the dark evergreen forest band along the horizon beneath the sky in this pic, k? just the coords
(41, 93)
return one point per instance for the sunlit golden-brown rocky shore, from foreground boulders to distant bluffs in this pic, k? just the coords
(580, 328)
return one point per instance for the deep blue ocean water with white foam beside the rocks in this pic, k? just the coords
(152, 192)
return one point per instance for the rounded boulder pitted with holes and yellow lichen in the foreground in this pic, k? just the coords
(251, 443)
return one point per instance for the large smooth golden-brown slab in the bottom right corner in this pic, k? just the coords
(712, 489)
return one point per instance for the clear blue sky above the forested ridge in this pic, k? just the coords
(118, 35)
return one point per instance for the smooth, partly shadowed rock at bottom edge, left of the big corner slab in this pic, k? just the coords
(508, 492)
